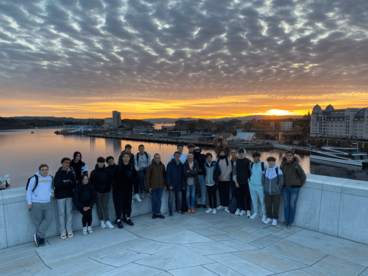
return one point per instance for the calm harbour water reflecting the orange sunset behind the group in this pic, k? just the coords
(22, 152)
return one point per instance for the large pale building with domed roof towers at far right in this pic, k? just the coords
(340, 123)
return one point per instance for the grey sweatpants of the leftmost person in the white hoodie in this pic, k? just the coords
(42, 216)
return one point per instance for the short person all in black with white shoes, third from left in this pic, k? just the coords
(84, 199)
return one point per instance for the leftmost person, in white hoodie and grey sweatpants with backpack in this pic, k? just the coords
(39, 193)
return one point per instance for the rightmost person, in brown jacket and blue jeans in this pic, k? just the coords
(294, 179)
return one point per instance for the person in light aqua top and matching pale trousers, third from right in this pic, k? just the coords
(257, 168)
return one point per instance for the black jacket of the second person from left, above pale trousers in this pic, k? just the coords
(64, 183)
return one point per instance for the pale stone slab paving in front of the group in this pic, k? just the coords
(191, 244)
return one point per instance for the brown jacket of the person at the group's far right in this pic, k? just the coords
(294, 175)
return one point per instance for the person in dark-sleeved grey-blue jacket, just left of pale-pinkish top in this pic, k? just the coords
(211, 176)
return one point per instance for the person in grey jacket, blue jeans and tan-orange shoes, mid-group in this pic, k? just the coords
(190, 170)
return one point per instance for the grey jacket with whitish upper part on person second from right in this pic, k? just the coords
(272, 180)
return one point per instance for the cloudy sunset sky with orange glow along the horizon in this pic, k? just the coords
(167, 58)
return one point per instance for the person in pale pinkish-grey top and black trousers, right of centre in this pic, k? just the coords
(224, 163)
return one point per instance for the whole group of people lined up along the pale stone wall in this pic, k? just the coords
(188, 178)
